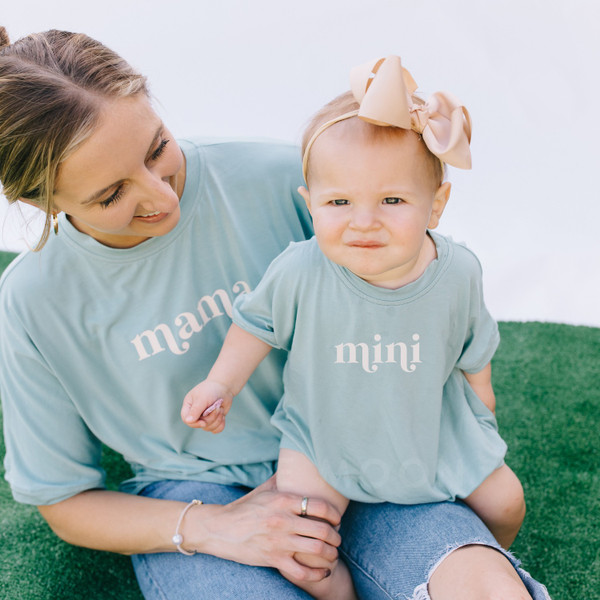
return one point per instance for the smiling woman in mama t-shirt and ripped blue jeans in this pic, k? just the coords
(125, 309)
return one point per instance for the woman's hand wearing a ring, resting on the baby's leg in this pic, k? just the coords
(264, 528)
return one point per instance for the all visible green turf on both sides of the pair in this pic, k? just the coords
(547, 382)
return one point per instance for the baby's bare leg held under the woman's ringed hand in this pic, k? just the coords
(298, 475)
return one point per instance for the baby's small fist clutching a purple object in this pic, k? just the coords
(206, 405)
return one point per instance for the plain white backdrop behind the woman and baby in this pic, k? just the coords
(526, 69)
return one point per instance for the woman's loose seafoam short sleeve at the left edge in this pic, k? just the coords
(51, 454)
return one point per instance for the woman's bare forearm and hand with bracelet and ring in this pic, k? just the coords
(262, 528)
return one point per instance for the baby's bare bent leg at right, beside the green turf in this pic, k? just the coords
(500, 504)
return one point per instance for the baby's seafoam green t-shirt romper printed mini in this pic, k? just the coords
(374, 393)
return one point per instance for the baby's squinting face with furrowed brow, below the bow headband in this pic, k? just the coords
(372, 201)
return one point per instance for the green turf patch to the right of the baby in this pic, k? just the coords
(547, 381)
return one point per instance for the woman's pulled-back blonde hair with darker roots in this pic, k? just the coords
(52, 87)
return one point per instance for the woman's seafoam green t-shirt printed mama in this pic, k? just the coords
(100, 344)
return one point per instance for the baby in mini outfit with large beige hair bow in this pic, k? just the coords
(388, 394)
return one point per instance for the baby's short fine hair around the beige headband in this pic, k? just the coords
(346, 103)
